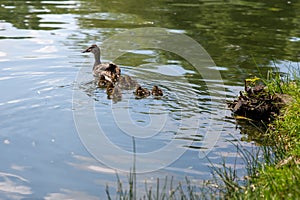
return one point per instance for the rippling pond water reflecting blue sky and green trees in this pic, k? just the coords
(61, 137)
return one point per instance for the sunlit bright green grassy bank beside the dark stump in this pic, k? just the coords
(280, 179)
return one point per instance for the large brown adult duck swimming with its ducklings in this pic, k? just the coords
(106, 72)
